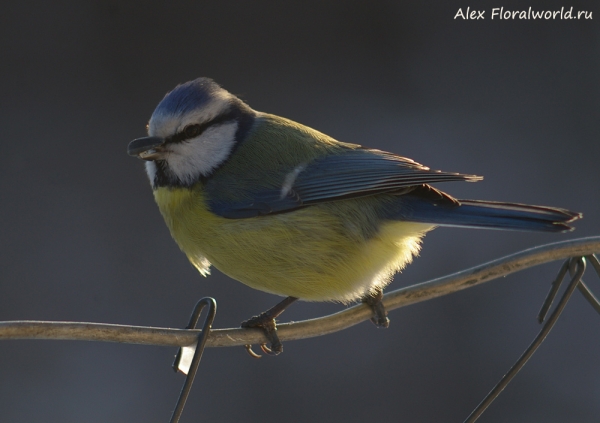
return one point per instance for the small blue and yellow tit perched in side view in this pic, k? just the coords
(289, 210)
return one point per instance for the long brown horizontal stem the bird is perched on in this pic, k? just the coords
(307, 328)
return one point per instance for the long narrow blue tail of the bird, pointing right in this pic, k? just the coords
(443, 210)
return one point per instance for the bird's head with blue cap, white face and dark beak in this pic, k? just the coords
(192, 131)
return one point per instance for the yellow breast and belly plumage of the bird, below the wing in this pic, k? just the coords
(317, 253)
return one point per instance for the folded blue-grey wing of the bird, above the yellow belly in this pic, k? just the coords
(353, 173)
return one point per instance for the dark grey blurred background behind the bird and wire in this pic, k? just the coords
(82, 240)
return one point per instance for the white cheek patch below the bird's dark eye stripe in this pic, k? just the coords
(197, 157)
